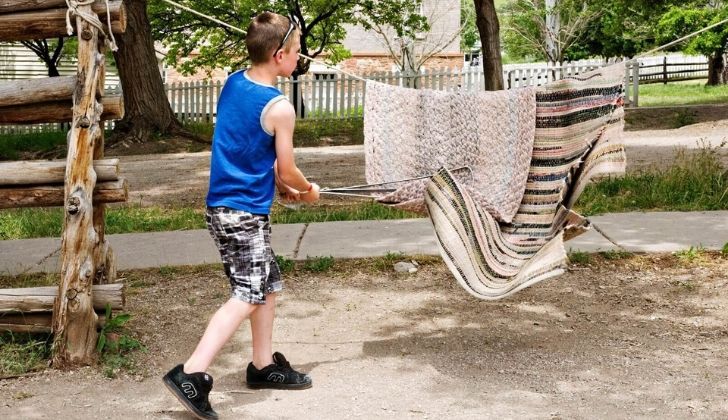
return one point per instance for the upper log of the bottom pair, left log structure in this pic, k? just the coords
(41, 299)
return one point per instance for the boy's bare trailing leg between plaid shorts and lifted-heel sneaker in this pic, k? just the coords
(222, 326)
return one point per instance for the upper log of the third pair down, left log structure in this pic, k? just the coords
(38, 172)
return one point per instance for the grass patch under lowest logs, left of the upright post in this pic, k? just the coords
(23, 353)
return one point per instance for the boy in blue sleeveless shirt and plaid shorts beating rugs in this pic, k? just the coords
(252, 153)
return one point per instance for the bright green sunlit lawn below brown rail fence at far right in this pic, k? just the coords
(682, 93)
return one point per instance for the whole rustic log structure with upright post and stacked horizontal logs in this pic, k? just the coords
(81, 184)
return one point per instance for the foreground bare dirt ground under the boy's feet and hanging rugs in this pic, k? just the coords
(645, 337)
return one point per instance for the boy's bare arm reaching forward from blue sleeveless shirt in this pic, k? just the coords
(281, 120)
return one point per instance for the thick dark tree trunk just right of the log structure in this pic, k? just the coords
(147, 109)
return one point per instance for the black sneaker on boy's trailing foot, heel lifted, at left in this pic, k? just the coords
(192, 391)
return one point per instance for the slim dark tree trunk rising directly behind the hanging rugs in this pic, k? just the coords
(489, 29)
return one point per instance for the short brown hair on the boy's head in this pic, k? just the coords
(265, 34)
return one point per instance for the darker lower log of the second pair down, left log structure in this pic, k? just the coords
(58, 111)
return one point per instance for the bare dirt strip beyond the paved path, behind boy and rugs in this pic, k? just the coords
(181, 179)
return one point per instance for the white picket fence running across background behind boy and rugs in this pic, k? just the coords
(339, 96)
